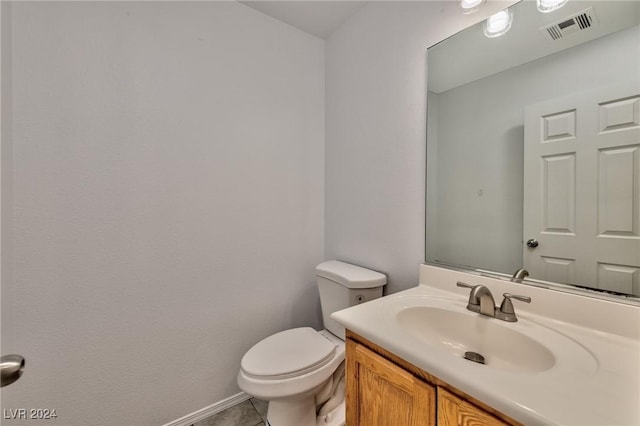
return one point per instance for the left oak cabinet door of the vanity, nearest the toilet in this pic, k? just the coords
(379, 393)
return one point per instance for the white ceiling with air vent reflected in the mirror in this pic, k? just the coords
(469, 55)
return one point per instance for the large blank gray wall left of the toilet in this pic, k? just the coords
(167, 202)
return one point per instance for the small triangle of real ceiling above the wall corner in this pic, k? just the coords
(319, 18)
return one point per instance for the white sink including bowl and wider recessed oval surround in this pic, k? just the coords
(442, 326)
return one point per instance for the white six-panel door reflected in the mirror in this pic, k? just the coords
(582, 189)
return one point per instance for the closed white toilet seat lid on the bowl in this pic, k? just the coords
(288, 354)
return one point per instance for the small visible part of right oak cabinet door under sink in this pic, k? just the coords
(453, 411)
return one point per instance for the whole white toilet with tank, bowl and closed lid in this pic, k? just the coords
(300, 371)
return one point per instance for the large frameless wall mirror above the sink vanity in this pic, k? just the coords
(533, 149)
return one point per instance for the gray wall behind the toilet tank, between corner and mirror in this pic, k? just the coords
(375, 132)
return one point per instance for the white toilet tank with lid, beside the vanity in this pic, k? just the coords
(342, 285)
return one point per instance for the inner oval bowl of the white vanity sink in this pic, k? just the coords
(502, 347)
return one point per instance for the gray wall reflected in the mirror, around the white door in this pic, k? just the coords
(480, 142)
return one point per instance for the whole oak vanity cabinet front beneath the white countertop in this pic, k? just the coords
(383, 390)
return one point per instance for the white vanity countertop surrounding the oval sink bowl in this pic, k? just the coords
(599, 386)
